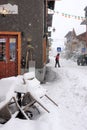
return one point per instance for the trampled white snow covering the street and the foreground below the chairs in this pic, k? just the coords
(68, 88)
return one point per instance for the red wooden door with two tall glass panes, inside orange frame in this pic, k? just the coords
(8, 56)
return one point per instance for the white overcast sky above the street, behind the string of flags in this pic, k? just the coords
(62, 24)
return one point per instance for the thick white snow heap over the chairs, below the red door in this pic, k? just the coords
(22, 83)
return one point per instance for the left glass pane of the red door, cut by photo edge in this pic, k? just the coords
(2, 49)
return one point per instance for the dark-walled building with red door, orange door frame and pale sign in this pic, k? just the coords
(23, 23)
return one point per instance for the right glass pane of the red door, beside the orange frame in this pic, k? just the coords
(12, 49)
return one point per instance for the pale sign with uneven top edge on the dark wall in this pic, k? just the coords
(8, 9)
